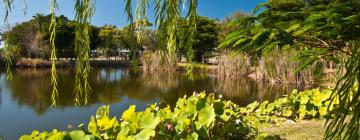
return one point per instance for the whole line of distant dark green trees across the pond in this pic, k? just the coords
(31, 38)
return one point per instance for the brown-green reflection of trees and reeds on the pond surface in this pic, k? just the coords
(31, 87)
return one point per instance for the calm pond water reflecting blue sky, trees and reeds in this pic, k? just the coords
(25, 100)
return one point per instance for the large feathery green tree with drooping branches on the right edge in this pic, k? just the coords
(319, 30)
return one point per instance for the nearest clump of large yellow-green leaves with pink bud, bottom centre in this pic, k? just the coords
(196, 117)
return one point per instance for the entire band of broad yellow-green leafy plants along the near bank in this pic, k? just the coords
(202, 116)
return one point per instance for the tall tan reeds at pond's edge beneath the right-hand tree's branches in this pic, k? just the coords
(276, 67)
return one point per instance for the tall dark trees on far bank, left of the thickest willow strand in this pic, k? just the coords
(33, 37)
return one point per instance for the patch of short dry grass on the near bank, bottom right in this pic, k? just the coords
(301, 130)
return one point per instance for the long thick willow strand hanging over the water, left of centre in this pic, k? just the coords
(84, 11)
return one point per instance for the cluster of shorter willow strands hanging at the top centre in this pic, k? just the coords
(167, 15)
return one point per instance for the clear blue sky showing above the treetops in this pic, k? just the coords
(112, 11)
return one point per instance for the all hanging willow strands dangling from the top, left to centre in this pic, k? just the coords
(167, 14)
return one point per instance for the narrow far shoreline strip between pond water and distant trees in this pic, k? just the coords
(213, 69)
